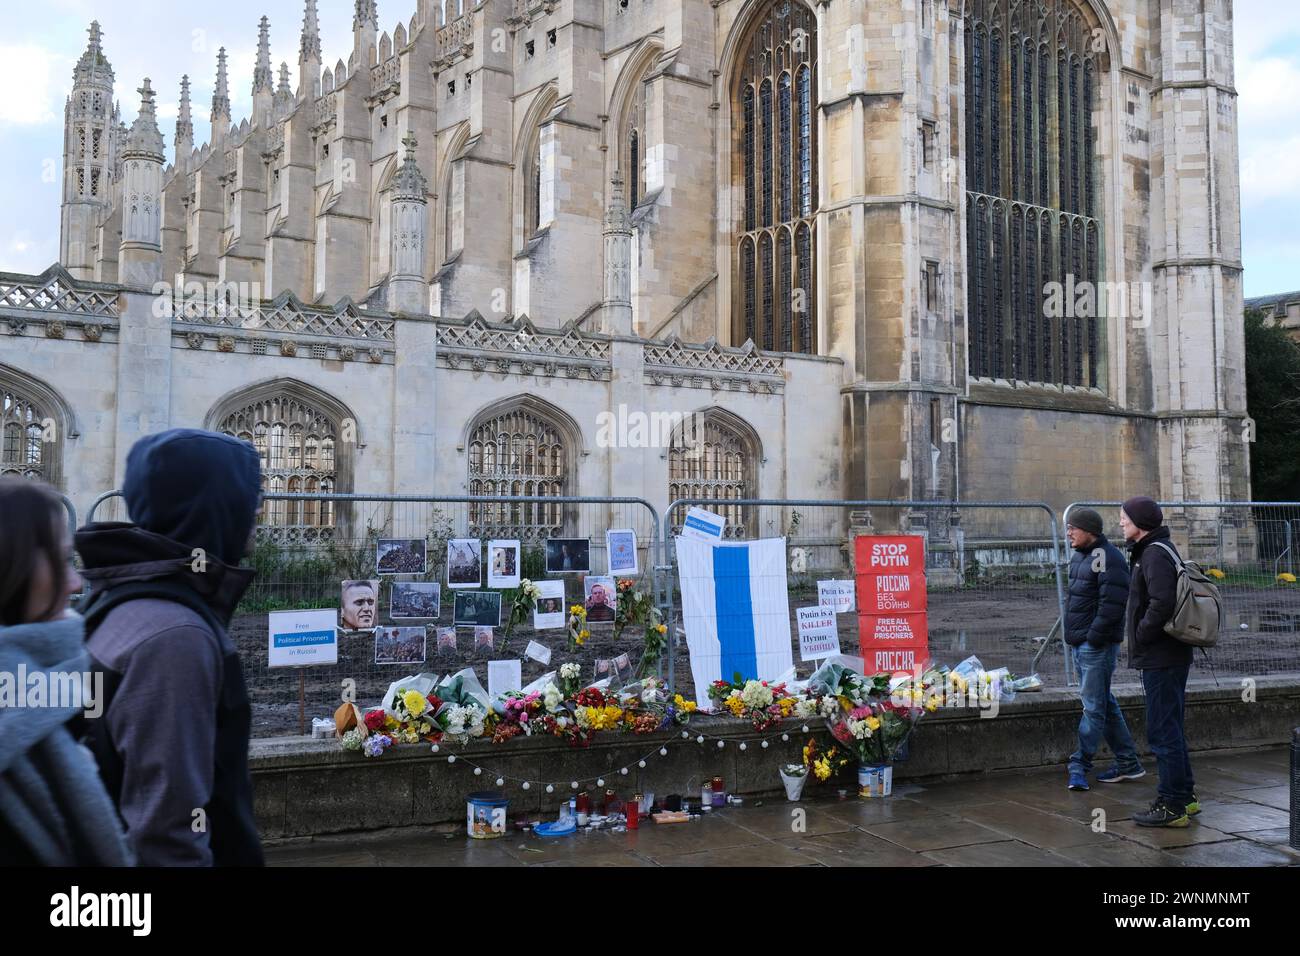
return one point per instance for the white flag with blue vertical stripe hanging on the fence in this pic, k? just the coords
(736, 611)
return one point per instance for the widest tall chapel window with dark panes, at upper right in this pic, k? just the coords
(1033, 204)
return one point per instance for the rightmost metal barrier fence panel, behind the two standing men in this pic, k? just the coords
(1250, 548)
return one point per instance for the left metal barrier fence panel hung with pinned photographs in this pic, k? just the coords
(314, 543)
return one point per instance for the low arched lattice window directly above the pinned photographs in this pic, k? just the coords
(518, 453)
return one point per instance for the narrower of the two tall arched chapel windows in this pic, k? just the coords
(775, 110)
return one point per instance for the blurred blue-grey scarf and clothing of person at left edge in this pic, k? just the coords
(54, 808)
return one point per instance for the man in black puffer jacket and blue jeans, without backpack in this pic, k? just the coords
(1094, 629)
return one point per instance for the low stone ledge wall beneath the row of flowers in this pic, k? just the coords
(305, 788)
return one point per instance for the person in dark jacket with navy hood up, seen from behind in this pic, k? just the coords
(174, 741)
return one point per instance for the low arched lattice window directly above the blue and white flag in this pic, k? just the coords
(713, 460)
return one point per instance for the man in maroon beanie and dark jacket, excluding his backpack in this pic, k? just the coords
(1164, 661)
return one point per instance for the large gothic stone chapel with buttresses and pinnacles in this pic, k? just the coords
(826, 226)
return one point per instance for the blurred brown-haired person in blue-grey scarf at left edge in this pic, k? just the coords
(54, 808)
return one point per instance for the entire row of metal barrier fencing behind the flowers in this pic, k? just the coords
(995, 579)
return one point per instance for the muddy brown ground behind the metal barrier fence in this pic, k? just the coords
(1003, 629)
